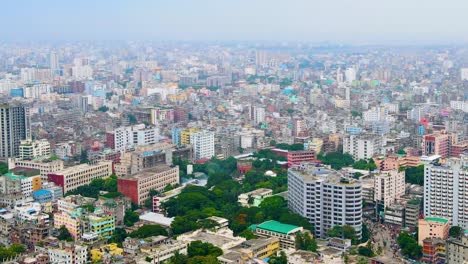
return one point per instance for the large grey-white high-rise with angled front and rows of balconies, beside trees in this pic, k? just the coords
(325, 197)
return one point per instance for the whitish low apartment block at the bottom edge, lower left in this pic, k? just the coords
(76, 254)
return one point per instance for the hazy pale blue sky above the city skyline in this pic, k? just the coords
(338, 21)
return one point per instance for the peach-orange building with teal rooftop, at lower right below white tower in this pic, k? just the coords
(433, 227)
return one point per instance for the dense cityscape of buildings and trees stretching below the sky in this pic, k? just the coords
(246, 152)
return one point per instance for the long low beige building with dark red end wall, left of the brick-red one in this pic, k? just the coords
(73, 177)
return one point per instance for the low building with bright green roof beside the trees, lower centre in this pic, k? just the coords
(284, 232)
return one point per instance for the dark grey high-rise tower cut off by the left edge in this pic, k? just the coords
(14, 127)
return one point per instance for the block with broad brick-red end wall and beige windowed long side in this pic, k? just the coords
(138, 186)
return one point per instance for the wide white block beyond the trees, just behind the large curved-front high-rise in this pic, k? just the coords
(363, 146)
